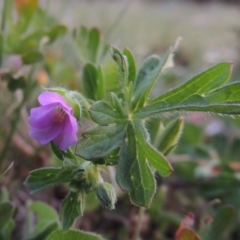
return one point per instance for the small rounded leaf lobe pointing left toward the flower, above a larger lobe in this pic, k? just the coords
(103, 114)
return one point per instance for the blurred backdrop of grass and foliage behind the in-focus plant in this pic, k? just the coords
(40, 47)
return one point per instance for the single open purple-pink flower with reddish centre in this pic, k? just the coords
(53, 121)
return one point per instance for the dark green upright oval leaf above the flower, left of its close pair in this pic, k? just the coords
(89, 80)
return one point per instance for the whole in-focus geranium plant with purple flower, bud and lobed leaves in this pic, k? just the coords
(119, 136)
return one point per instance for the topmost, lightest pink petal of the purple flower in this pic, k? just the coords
(46, 98)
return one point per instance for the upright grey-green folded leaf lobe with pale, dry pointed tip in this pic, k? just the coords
(147, 76)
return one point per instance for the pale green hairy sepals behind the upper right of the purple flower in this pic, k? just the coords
(73, 98)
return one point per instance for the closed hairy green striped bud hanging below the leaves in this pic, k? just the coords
(106, 194)
